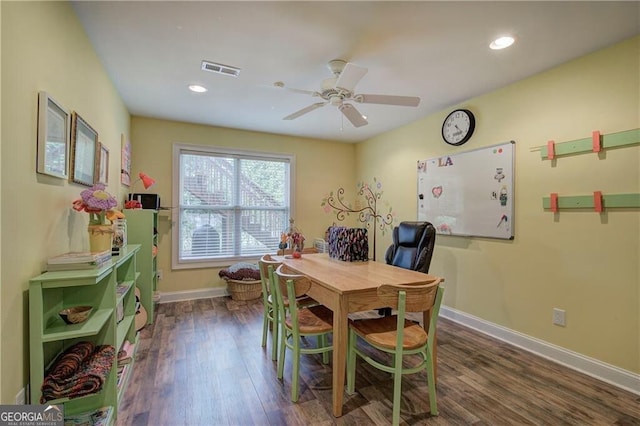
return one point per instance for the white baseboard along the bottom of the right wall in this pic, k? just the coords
(592, 367)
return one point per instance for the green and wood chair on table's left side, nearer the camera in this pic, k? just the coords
(299, 321)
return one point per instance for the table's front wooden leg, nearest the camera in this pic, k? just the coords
(340, 347)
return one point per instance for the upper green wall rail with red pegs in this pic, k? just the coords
(595, 143)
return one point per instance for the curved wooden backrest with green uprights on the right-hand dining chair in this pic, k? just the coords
(414, 298)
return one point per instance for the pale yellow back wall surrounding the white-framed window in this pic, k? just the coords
(321, 167)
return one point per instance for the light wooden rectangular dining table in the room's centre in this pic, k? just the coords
(347, 287)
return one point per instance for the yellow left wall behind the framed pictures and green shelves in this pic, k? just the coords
(43, 48)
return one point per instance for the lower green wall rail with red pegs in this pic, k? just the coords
(597, 201)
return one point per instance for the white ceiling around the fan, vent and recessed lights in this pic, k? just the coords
(435, 50)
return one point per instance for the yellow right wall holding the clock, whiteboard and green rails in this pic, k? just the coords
(579, 261)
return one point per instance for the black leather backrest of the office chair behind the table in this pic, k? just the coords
(413, 244)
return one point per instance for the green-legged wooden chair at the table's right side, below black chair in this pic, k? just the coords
(400, 337)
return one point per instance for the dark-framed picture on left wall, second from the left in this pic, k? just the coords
(84, 143)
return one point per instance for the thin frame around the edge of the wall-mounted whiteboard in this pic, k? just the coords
(421, 212)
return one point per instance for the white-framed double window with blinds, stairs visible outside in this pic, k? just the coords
(232, 205)
